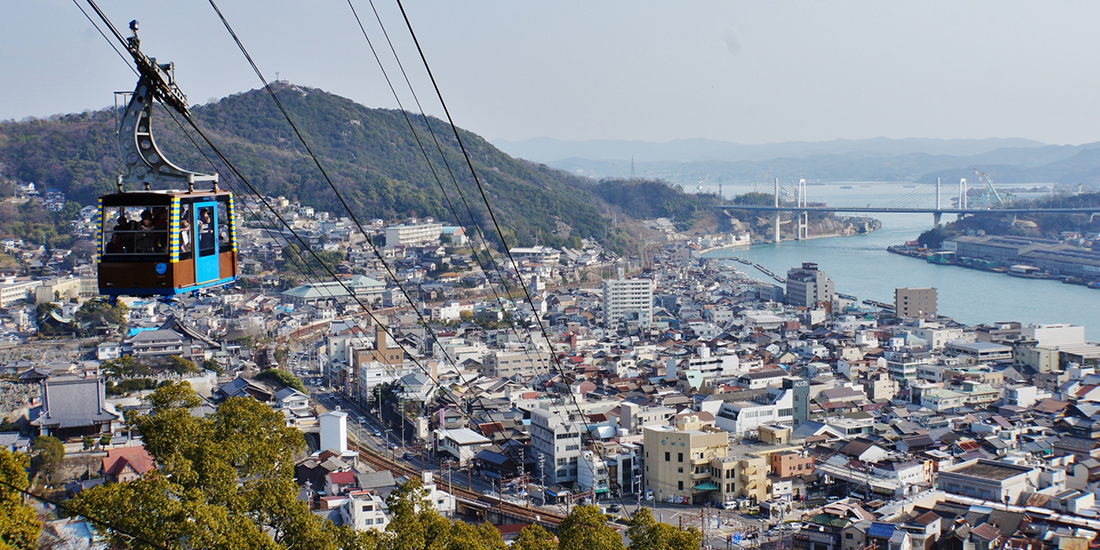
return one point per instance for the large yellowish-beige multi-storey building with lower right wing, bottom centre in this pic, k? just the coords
(690, 464)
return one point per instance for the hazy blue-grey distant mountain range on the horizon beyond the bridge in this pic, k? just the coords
(688, 162)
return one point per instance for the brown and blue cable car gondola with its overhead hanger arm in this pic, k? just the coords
(161, 243)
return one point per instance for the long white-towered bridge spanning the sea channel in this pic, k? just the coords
(927, 200)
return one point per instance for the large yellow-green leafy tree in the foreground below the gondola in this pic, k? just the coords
(225, 481)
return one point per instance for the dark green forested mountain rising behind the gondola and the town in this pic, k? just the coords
(370, 155)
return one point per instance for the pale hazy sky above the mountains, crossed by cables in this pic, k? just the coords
(742, 72)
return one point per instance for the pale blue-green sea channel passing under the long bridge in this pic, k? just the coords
(862, 267)
